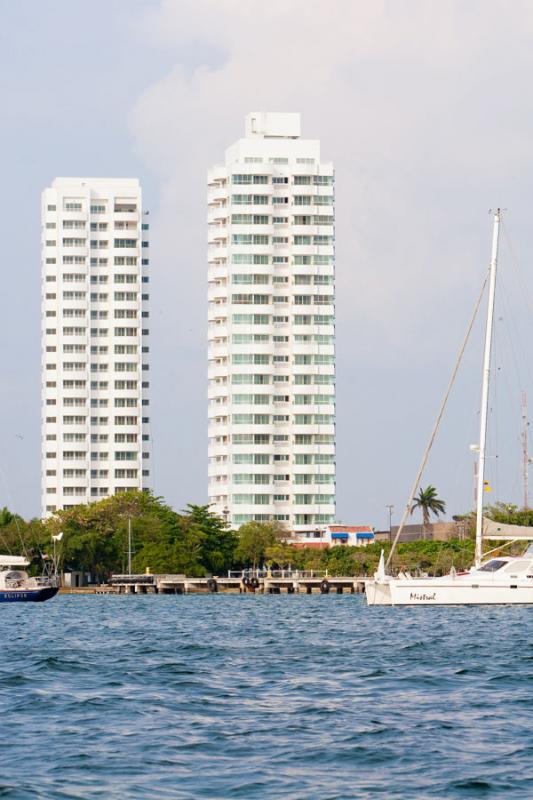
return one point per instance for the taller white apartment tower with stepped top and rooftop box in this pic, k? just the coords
(272, 328)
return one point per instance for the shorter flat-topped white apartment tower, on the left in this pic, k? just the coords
(95, 379)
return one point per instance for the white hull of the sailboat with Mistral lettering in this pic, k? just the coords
(447, 592)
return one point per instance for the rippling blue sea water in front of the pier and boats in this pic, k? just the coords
(264, 697)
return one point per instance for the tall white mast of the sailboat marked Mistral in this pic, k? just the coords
(485, 388)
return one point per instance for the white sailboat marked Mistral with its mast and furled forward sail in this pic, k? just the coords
(499, 580)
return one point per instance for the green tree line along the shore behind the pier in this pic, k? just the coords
(198, 542)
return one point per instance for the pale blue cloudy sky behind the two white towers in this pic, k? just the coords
(426, 110)
